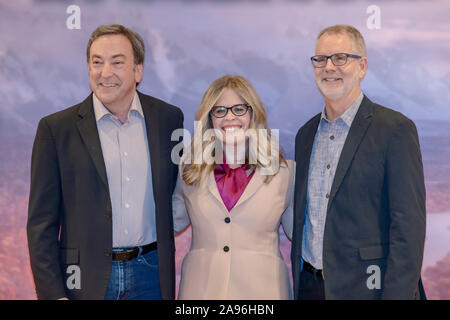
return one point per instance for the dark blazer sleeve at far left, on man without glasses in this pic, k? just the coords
(43, 222)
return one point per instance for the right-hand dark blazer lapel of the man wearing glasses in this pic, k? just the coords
(357, 131)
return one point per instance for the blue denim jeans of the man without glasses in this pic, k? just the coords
(135, 279)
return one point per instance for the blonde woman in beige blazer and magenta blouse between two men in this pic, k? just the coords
(236, 205)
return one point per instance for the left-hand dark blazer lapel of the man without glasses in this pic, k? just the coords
(87, 126)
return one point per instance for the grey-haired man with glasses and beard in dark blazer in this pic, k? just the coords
(359, 208)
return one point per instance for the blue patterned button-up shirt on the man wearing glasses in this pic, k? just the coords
(328, 143)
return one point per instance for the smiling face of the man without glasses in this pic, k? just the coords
(112, 73)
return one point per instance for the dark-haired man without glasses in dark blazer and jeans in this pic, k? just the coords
(101, 184)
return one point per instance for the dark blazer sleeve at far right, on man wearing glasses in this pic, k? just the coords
(406, 192)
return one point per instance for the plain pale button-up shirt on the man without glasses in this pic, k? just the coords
(127, 160)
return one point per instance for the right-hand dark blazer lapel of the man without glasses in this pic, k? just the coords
(152, 125)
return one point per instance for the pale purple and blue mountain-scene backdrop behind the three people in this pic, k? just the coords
(190, 43)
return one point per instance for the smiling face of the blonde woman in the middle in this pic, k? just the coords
(231, 128)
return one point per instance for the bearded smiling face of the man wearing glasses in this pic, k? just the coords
(343, 82)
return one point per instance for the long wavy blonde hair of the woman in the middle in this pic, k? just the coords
(197, 173)
